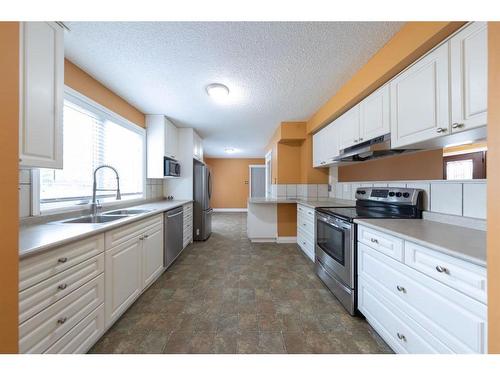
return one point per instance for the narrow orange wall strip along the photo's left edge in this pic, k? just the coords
(9, 217)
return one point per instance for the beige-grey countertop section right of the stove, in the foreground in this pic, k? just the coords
(457, 241)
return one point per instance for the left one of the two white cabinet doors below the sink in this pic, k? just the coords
(123, 278)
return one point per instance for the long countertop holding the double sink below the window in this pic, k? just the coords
(34, 239)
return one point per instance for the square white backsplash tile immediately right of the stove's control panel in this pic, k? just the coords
(446, 198)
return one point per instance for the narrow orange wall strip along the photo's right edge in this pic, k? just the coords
(493, 173)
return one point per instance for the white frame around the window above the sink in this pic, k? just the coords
(92, 106)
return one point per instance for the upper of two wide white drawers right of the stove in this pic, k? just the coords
(455, 319)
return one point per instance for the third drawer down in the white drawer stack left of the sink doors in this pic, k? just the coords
(44, 329)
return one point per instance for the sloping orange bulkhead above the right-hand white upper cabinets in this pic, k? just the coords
(411, 42)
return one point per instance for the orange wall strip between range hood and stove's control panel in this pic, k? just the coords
(424, 165)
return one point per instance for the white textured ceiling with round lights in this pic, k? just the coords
(276, 71)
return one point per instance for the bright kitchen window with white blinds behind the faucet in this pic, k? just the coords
(93, 136)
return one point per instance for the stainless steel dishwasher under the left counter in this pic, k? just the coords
(173, 235)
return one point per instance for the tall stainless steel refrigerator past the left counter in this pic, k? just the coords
(202, 212)
